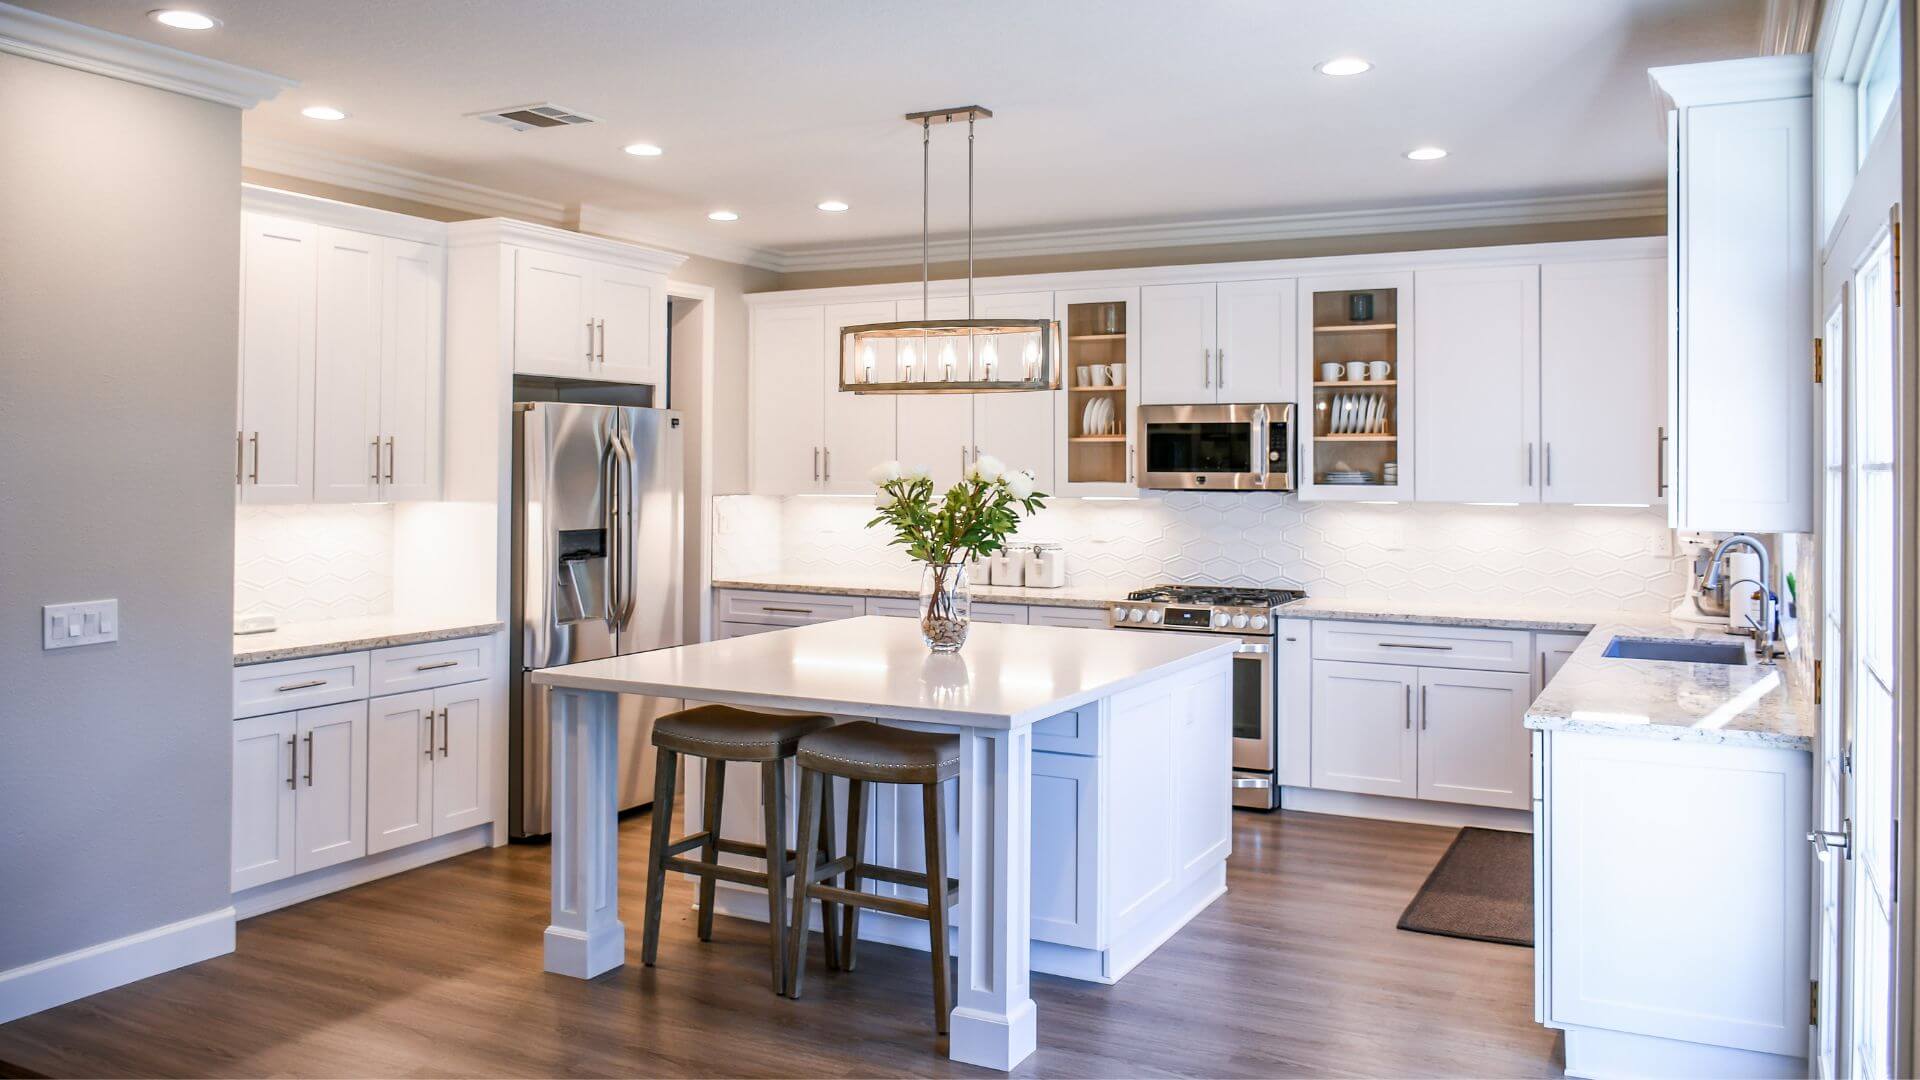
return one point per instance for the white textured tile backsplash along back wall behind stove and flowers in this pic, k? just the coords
(1606, 558)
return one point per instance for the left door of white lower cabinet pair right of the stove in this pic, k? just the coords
(1364, 737)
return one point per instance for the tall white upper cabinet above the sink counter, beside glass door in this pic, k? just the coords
(1740, 195)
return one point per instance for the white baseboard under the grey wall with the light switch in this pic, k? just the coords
(70, 977)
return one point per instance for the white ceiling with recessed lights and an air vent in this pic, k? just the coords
(1109, 112)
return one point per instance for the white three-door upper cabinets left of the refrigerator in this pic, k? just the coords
(343, 314)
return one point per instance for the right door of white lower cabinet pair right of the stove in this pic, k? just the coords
(1474, 745)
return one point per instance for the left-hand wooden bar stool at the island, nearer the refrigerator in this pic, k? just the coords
(719, 735)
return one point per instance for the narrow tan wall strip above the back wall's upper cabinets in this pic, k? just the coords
(1243, 253)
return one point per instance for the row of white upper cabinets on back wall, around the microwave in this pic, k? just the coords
(1527, 374)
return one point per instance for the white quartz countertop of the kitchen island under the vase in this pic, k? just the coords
(1007, 675)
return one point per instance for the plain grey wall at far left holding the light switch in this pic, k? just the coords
(120, 235)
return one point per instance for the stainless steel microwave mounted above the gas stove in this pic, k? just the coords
(1228, 449)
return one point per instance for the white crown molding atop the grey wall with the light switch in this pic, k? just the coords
(133, 61)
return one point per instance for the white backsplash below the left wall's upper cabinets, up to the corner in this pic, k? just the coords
(314, 562)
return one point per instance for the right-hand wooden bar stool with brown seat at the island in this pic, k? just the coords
(875, 754)
